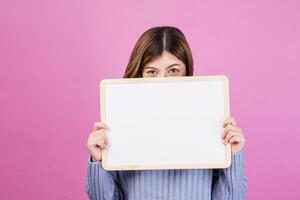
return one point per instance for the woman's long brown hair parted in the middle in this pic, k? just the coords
(151, 45)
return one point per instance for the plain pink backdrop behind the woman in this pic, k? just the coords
(54, 53)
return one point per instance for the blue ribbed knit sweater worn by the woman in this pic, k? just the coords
(183, 184)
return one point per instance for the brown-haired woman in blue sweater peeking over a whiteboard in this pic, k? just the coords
(162, 52)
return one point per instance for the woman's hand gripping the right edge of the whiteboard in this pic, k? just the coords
(233, 134)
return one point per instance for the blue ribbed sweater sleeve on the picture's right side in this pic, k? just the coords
(230, 183)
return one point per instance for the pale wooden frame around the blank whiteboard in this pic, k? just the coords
(227, 149)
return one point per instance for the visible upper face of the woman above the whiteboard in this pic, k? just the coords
(164, 66)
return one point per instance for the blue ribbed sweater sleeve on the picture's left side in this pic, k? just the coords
(101, 184)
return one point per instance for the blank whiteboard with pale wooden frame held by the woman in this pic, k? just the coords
(165, 122)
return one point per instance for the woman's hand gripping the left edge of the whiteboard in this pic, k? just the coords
(98, 141)
